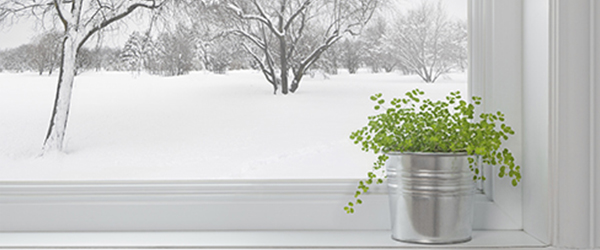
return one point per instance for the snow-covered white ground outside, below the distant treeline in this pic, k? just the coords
(198, 126)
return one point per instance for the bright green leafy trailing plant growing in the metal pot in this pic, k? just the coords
(413, 124)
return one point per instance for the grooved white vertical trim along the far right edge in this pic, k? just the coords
(573, 126)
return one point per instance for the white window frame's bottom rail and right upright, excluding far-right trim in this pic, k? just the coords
(295, 202)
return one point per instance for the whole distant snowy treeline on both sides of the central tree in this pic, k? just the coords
(423, 41)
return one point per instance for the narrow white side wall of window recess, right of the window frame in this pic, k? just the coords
(505, 84)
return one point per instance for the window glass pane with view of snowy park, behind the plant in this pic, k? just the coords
(186, 102)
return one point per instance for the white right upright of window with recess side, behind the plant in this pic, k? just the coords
(496, 71)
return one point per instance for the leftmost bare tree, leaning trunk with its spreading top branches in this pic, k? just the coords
(80, 19)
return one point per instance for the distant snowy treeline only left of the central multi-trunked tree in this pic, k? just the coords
(168, 54)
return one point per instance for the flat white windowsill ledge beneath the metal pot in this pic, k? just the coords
(253, 239)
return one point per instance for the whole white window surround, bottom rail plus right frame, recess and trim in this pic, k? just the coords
(520, 35)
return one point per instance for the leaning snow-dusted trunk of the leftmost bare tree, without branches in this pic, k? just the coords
(58, 123)
